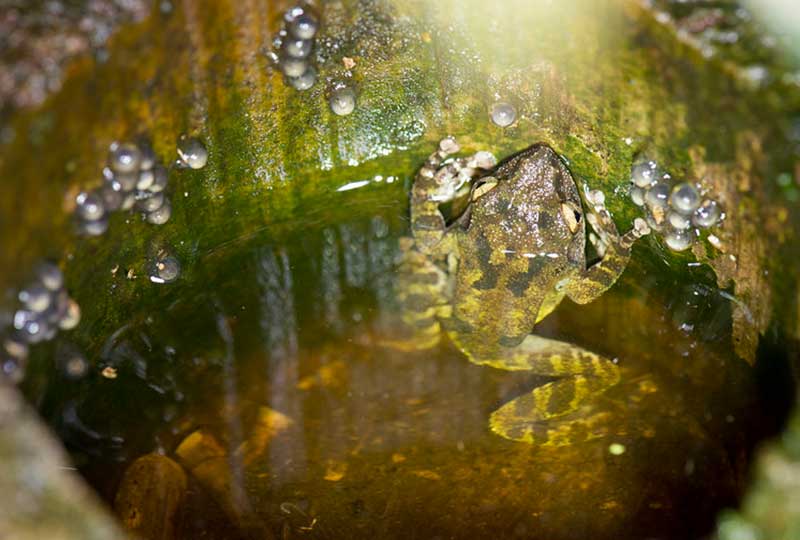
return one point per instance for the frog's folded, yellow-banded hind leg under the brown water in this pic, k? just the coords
(558, 413)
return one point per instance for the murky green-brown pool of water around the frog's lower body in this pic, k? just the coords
(271, 353)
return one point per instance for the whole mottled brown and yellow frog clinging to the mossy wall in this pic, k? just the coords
(503, 265)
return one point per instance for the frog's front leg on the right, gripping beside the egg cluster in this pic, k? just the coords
(614, 250)
